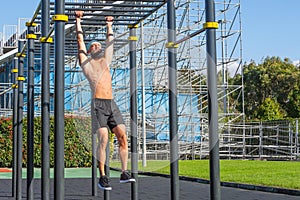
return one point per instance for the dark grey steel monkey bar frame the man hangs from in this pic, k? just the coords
(126, 13)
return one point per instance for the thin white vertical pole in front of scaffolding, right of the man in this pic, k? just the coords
(143, 98)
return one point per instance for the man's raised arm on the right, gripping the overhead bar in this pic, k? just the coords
(109, 50)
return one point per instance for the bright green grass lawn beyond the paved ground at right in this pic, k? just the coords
(282, 174)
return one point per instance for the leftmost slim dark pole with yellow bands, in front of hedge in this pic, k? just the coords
(15, 122)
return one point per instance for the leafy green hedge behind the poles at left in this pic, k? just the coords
(78, 151)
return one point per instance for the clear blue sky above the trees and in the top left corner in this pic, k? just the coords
(269, 27)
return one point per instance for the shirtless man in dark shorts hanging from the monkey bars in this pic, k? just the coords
(95, 66)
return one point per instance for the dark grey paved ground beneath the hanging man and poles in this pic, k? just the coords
(150, 188)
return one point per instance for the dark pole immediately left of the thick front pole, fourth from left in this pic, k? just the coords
(45, 103)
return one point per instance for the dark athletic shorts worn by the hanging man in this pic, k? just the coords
(106, 114)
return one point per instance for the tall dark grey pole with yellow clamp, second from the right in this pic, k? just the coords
(173, 99)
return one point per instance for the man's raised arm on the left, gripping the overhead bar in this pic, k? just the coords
(82, 52)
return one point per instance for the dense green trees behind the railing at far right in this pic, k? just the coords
(274, 79)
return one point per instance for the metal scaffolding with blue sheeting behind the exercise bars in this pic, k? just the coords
(150, 17)
